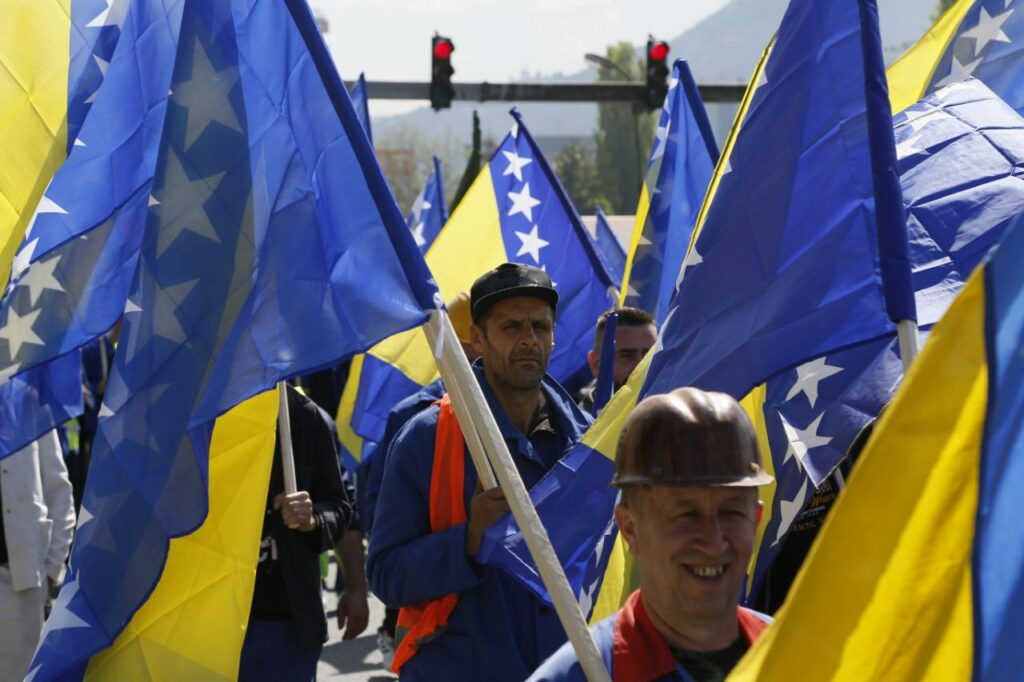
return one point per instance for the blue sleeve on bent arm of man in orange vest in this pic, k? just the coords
(408, 564)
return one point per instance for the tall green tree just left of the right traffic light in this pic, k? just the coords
(624, 134)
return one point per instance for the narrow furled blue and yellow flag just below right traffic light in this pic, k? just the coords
(682, 159)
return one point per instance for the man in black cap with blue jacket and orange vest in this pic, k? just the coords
(462, 620)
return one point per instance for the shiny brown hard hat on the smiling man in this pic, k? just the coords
(689, 438)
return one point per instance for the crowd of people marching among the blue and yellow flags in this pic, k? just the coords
(689, 467)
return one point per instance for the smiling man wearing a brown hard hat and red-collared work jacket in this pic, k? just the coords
(689, 466)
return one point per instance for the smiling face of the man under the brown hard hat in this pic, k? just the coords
(694, 546)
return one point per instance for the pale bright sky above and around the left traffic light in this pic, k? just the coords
(495, 40)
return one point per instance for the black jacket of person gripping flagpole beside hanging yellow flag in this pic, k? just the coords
(317, 472)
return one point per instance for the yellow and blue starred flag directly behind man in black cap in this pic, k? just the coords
(517, 210)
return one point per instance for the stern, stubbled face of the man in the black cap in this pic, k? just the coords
(516, 343)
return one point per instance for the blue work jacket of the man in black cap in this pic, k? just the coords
(499, 630)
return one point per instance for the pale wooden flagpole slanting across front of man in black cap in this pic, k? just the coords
(471, 407)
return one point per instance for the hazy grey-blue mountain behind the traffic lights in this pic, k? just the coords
(723, 48)
